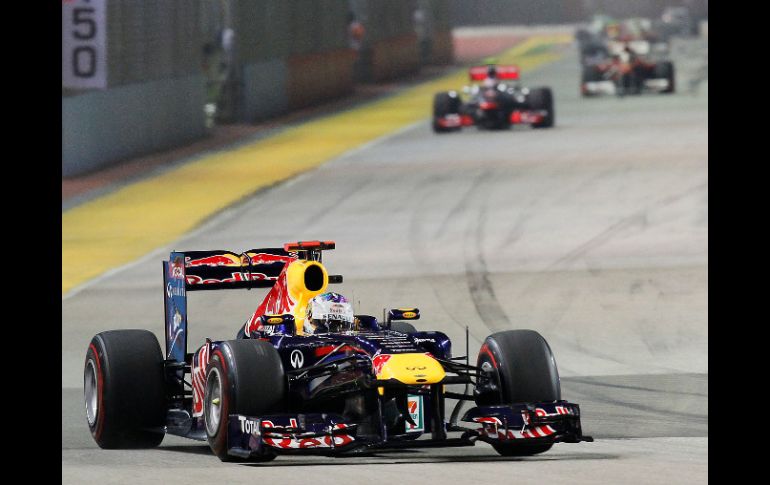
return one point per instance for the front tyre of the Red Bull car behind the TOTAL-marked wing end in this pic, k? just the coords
(232, 387)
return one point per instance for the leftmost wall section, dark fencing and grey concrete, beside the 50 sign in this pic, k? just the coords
(155, 92)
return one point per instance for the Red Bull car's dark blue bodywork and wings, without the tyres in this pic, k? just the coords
(372, 387)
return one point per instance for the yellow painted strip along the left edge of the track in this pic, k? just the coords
(124, 225)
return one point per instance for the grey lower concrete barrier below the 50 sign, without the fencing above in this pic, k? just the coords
(100, 128)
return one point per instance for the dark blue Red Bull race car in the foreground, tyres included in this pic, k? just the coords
(304, 374)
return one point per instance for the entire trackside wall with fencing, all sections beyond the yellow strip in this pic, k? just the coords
(288, 54)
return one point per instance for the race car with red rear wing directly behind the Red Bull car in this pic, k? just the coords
(497, 102)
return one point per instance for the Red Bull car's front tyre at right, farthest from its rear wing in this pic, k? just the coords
(522, 368)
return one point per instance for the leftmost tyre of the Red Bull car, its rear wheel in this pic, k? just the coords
(124, 389)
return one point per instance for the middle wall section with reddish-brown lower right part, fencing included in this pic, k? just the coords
(305, 41)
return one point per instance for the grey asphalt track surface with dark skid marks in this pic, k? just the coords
(593, 233)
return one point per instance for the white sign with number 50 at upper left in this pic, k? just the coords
(84, 49)
